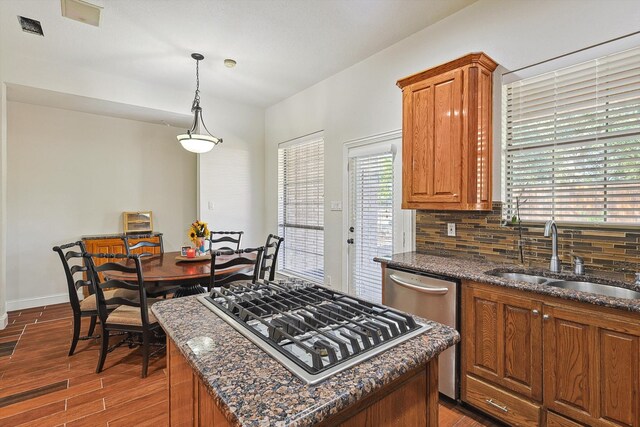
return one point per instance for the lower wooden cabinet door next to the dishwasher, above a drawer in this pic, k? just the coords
(502, 340)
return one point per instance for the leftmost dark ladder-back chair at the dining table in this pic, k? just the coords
(75, 270)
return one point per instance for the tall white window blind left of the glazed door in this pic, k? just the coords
(301, 208)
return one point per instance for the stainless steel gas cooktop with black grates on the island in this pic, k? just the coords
(313, 331)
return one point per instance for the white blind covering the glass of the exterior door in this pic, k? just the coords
(371, 179)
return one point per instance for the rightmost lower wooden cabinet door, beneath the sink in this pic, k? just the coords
(591, 367)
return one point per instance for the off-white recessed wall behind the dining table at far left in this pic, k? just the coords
(72, 173)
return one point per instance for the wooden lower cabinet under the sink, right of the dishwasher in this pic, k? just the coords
(578, 363)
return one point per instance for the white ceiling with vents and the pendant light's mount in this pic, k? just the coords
(281, 46)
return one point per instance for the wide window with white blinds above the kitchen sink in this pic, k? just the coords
(573, 143)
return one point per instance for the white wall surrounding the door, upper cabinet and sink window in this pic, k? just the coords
(363, 100)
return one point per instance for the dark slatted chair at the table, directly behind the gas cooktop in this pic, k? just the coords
(225, 269)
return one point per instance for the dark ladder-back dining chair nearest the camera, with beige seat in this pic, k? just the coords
(133, 314)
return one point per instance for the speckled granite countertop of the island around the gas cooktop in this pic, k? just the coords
(253, 389)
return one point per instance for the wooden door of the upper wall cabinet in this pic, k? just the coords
(432, 140)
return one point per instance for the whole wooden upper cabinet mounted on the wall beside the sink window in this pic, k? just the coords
(446, 134)
